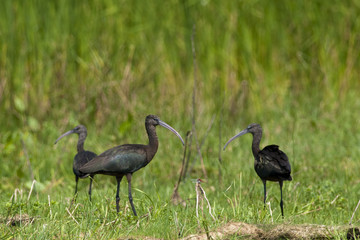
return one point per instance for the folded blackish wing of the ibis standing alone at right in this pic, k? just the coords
(276, 157)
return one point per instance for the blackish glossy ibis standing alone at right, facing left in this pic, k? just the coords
(271, 164)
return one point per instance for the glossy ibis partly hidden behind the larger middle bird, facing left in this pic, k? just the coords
(82, 156)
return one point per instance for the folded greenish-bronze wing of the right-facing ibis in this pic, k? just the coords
(117, 160)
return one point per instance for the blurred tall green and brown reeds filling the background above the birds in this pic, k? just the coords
(103, 61)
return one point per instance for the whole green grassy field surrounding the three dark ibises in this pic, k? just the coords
(292, 66)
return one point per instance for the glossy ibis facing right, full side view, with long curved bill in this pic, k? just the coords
(126, 159)
